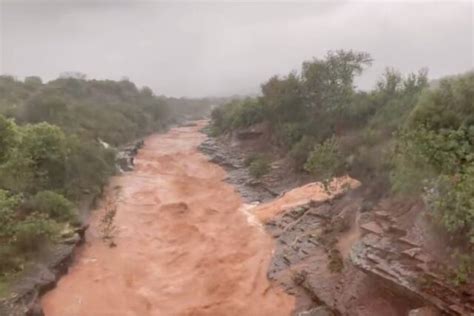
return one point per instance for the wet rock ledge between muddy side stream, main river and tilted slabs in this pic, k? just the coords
(309, 264)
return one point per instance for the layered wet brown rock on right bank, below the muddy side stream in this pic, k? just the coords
(387, 270)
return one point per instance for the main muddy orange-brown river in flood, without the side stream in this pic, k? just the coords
(183, 248)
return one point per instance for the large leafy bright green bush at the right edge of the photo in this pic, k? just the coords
(436, 149)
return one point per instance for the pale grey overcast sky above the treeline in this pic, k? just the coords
(223, 48)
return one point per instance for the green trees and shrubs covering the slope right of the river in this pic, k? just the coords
(403, 137)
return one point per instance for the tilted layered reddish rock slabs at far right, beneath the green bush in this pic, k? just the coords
(400, 257)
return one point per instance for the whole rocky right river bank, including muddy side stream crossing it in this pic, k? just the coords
(352, 252)
